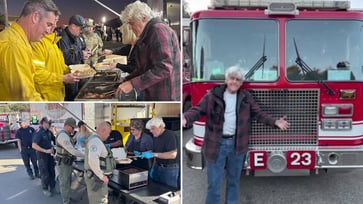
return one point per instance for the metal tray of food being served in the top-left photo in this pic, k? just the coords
(101, 86)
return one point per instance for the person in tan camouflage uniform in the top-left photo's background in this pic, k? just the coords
(93, 42)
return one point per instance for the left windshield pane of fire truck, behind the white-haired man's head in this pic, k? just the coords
(221, 43)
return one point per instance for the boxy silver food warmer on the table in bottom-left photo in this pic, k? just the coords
(131, 177)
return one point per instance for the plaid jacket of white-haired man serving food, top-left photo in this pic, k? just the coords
(158, 59)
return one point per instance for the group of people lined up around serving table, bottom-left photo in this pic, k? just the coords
(55, 153)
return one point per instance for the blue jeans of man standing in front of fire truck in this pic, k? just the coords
(233, 163)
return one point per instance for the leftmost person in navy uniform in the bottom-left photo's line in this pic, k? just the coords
(25, 138)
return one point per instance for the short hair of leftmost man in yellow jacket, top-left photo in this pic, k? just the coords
(42, 6)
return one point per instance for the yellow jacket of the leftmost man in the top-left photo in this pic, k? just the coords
(16, 67)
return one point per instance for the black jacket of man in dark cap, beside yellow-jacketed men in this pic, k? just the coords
(71, 47)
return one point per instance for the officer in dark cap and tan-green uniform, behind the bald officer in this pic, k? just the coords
(66, 154)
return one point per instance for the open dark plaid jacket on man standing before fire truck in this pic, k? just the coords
(212, 106)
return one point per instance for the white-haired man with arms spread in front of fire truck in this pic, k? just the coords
(229, 111)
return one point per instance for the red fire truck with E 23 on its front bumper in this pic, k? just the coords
(302, 60)
